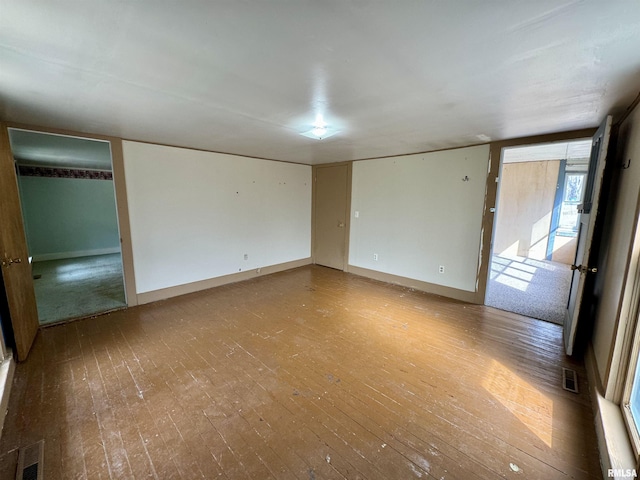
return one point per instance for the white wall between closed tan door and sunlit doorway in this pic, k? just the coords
(418, 212)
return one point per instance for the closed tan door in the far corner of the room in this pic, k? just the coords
(331, 188)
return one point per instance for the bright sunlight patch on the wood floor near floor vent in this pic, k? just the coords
(524, 401)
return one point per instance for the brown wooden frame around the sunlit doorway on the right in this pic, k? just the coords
(491, 196)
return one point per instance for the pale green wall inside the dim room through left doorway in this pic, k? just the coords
(69, 217)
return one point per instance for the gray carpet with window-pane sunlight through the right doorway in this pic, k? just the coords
(535, 288)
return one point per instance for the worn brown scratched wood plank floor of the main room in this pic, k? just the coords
(305, 374)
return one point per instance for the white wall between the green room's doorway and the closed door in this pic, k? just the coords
(195, 215)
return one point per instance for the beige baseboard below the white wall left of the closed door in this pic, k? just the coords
(164, 293)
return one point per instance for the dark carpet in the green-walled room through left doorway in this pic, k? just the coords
(78, 287)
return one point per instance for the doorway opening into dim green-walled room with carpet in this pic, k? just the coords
(68, 206)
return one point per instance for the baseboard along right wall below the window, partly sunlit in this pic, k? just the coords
(613, 440)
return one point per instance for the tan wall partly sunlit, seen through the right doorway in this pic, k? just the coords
(525, 207)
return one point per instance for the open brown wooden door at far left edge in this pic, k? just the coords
(16, 270)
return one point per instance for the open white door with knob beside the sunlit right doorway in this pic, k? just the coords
(588, 210)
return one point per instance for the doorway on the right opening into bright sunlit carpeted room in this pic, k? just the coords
(536, 228)
